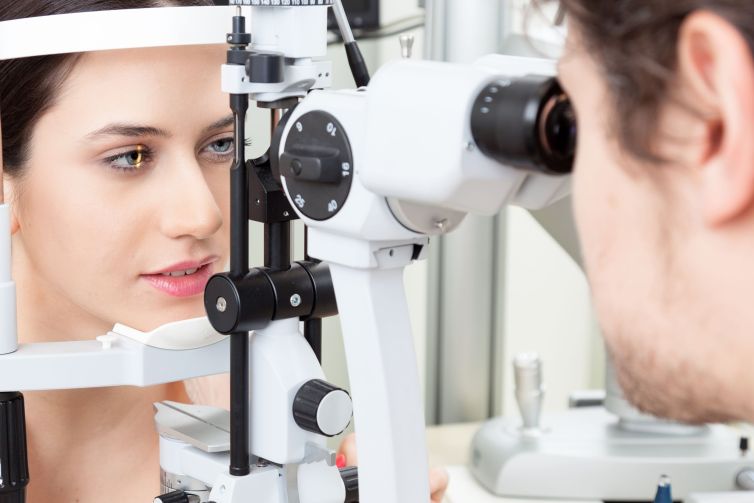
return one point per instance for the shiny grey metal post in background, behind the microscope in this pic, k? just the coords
(463, 350)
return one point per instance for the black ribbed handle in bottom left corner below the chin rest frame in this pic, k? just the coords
(14, 464)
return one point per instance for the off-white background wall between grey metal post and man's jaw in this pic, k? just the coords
(547, 311)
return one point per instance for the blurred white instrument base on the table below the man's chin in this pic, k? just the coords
(585, 454)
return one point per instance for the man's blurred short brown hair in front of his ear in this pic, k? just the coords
(634, 42)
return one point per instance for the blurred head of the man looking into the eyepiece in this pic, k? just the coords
(664, 195)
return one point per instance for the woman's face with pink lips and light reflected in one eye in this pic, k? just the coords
(123, 208)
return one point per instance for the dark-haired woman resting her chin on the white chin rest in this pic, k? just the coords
(116, 169)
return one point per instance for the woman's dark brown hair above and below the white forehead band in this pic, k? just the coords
(29, 86)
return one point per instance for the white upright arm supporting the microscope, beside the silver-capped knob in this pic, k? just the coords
(384, 383)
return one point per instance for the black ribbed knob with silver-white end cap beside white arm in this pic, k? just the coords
(322, 408)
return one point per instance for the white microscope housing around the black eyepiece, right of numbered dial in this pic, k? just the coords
(419, 146)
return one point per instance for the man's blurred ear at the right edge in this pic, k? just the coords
(715, 64)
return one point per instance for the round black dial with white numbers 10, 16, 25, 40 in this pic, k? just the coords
(317, 165)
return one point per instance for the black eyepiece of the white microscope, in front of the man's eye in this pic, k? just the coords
(527, 123)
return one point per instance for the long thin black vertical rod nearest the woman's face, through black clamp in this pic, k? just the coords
(239, 267)
